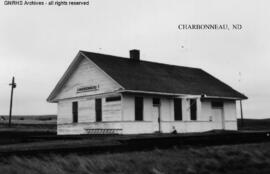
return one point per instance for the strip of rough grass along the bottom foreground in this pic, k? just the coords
(238, 159)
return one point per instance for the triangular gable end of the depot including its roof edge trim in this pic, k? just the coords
(83, 77)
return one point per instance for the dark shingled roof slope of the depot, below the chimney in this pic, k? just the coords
(163, 78)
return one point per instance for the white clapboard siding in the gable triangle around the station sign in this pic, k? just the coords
(87, 74)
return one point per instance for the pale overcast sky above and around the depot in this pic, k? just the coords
(37, 43)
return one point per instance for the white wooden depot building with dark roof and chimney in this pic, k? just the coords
(105, 94)
